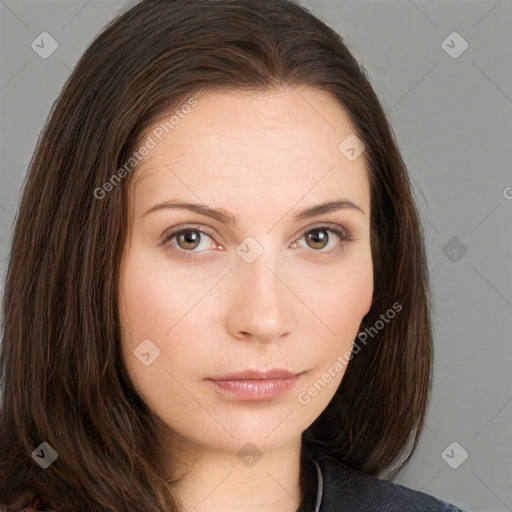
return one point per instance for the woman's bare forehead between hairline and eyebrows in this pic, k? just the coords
(252, 146)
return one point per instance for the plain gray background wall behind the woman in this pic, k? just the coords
(452, 118)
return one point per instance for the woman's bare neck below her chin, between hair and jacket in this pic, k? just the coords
(209, 480)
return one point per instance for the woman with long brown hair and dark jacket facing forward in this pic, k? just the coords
(215, 210)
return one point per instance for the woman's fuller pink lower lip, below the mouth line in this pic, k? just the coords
(256, 389)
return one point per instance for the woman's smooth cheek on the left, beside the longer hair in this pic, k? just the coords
(164, 305)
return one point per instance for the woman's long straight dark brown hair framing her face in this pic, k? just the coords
(61, 367)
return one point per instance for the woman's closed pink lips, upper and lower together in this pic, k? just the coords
(254, 385)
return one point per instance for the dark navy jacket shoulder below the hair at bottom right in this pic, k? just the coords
(346, 489)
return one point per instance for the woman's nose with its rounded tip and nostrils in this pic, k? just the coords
(261, 304)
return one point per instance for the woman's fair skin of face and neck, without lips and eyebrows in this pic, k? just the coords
(262, 157)
